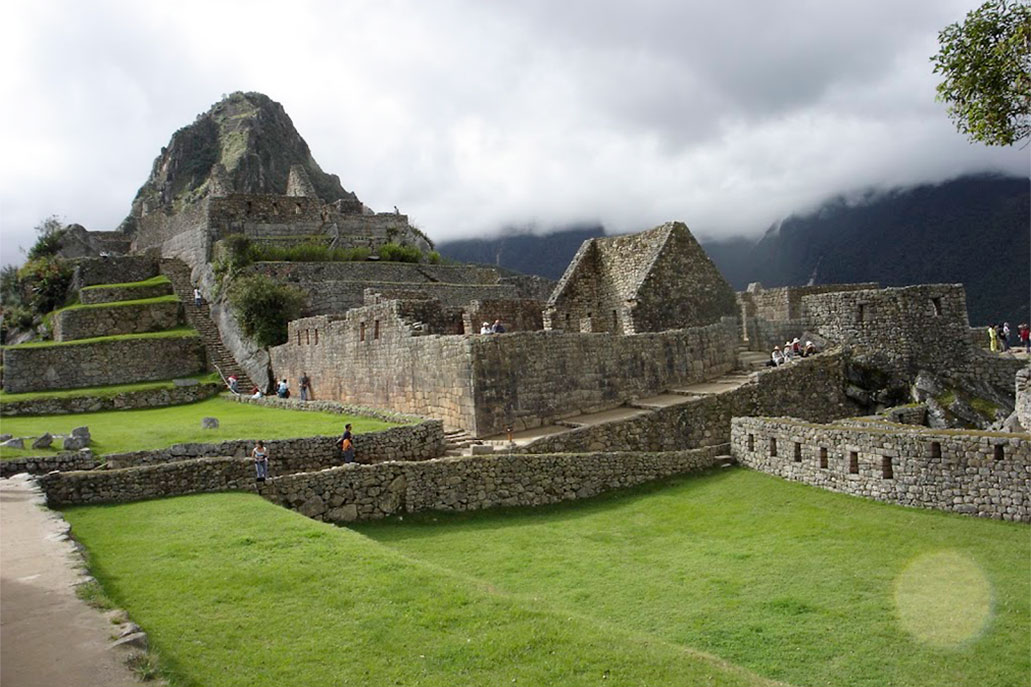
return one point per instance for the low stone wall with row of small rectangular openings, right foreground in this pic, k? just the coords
(975, 473)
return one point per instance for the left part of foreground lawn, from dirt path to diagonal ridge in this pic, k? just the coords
(237, 593)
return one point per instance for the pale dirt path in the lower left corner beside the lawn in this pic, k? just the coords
(49, 638)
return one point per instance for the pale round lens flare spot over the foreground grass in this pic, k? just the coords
(944, 599)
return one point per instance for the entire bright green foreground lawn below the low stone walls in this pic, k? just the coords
(785, 581)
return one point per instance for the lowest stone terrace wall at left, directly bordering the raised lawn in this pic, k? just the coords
(175, 396)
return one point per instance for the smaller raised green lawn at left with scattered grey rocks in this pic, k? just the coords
(118, 432)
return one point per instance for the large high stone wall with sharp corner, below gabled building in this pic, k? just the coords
(375, 356)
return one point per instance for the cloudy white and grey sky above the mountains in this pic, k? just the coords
(472, 116)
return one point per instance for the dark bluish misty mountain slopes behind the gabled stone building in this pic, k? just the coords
(975, 231)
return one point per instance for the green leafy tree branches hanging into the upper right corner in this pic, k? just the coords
(986, 68)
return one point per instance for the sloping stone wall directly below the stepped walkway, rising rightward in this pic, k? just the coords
(812, 388)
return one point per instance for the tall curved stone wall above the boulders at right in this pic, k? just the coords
(905, 330)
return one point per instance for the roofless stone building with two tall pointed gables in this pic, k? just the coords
(652, 281)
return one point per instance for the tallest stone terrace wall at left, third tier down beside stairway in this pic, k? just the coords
(102, 364)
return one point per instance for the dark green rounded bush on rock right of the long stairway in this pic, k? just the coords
(264, 307)
